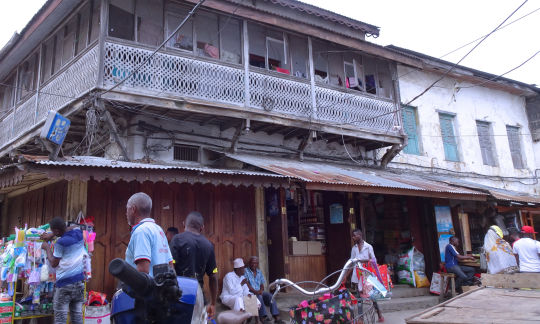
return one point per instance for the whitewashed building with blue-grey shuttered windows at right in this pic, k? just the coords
(474, 130)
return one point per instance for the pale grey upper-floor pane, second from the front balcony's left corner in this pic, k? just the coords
(149, 22)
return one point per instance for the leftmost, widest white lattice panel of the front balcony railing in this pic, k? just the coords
(173, 74)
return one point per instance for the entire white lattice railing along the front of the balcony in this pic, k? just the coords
(192, 78)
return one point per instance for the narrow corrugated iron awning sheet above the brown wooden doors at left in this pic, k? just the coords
(100, 162)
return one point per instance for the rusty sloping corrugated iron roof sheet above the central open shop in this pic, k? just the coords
(319, 172)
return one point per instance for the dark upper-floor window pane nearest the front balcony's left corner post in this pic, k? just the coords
(122, 19)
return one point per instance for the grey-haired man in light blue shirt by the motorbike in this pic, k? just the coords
(148, 245)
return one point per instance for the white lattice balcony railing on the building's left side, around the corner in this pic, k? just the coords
(76, 79)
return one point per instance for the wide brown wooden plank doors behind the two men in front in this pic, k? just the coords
(229, 214)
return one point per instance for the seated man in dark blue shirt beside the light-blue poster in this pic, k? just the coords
(464, 274)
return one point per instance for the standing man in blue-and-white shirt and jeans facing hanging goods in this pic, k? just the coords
(68, 261)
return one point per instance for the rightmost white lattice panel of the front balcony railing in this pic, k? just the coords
(363, 112)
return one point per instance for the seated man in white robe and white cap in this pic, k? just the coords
(235, 288)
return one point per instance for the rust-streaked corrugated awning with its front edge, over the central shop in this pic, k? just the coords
(340, 177)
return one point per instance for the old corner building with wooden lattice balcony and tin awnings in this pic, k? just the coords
(273, 118)
